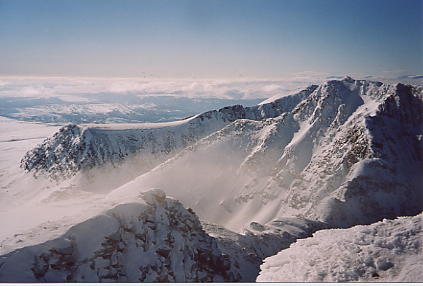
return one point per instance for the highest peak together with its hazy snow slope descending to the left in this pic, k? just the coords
(349, 153)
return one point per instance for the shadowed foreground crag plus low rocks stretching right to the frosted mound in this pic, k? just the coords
(152, 240)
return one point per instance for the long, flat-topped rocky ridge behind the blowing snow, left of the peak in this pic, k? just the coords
(74, 148)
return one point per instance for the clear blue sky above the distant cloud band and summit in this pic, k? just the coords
(210, 38)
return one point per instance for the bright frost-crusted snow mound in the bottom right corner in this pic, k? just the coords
(388, 251)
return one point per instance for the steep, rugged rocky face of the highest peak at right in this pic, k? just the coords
(356, 157)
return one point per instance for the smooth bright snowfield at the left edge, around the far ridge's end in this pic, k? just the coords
(32, 209)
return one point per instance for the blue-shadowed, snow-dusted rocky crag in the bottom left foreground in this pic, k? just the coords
(155, 241)
